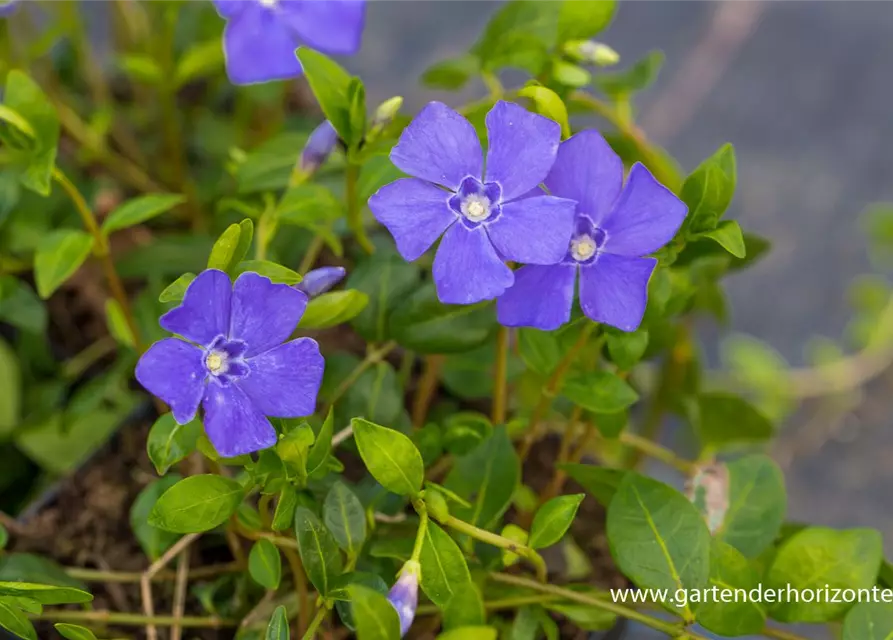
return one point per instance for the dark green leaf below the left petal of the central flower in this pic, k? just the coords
(386, 279)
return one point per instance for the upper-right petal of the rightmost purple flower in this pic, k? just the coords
(645, 218)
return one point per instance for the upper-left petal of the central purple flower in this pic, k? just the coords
(439, 146)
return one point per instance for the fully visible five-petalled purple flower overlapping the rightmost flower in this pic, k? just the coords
(484, 222)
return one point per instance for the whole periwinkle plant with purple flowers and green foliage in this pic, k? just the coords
(492, 255)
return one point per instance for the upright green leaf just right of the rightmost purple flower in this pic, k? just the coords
(708, 191)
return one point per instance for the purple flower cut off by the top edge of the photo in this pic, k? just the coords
(261, 36)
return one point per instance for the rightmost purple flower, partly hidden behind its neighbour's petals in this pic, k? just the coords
(615, 226)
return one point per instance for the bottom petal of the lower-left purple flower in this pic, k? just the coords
(233, 424)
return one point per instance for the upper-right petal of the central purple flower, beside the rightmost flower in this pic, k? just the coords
(522, 148)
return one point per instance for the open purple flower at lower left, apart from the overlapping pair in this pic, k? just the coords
(235, 363)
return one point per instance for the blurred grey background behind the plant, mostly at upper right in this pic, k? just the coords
(803, 90)
